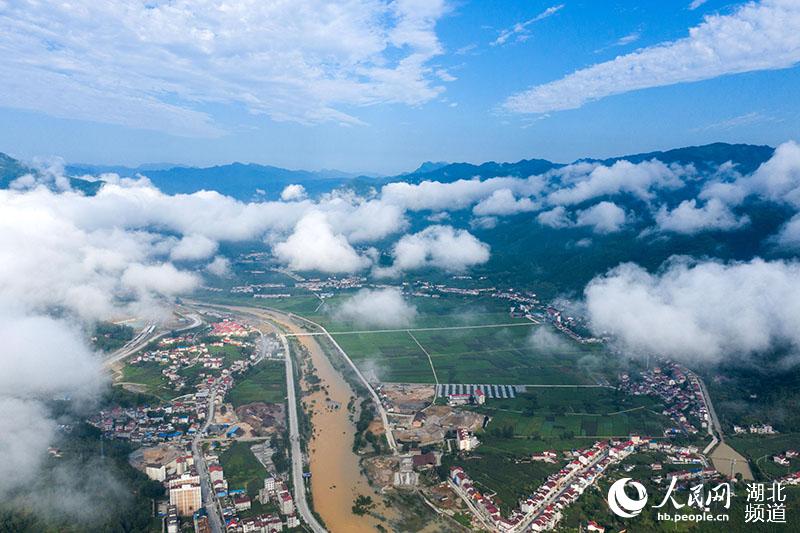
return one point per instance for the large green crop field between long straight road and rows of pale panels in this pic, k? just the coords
(502, 355)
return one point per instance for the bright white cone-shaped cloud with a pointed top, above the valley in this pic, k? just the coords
(314, 246)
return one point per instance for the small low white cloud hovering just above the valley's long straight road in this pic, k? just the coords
(382, 308)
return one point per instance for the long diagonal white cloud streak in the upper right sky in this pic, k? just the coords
(757, 36)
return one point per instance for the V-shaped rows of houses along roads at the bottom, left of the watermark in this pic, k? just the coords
(543, 509)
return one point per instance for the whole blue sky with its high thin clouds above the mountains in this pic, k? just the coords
(372, 86)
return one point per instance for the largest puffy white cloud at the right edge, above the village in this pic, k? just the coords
(699, 312)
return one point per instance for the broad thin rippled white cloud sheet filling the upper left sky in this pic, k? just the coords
(159, 65)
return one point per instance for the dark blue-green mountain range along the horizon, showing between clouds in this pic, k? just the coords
(554, 260)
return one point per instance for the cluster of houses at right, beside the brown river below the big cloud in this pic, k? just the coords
(679, 389)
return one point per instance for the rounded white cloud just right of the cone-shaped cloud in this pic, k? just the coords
(441, 247)
